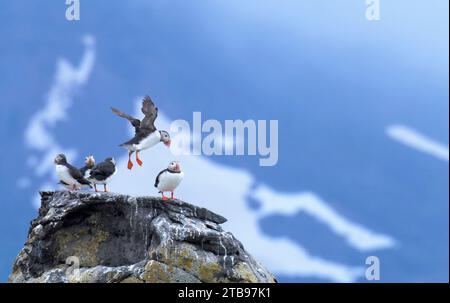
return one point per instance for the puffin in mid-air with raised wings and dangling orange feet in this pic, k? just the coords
(146, 134)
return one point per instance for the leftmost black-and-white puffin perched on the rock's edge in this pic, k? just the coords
(69, 175)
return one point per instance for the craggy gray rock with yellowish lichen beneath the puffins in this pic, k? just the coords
(105, 237)
